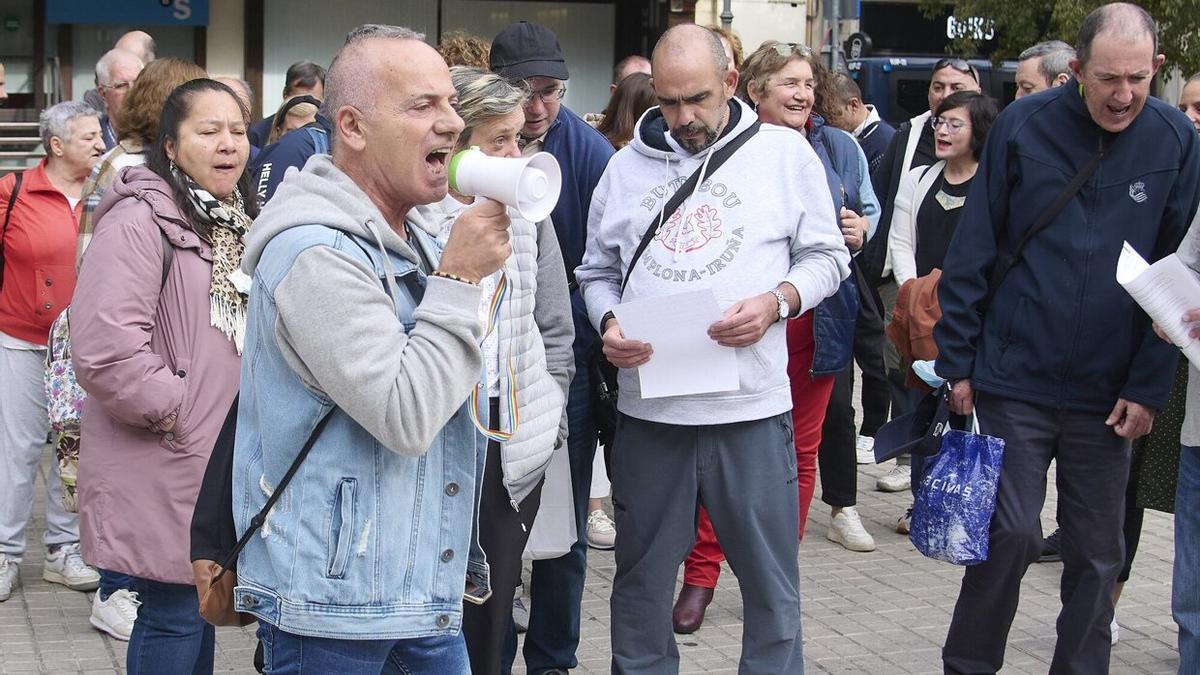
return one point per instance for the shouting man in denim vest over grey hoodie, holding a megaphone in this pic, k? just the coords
(361, 336)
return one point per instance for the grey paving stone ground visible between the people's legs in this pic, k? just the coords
(878, 613)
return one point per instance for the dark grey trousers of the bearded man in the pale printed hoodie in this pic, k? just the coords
(745, 475)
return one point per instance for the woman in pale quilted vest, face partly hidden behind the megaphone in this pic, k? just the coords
(529, 365)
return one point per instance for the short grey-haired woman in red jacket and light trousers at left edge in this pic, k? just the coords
(41, 219)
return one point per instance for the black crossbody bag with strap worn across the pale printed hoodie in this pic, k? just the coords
(603, 374)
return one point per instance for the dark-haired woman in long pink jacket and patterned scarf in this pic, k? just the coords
(158, 324)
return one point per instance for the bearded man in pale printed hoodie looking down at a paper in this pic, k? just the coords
(763, 235)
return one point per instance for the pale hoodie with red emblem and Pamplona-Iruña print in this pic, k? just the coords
(763, 218)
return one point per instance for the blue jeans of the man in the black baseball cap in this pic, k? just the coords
(556, 588)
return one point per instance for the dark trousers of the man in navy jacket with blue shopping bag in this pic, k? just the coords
(1093, 471)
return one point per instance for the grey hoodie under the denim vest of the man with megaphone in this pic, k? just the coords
(338, 327)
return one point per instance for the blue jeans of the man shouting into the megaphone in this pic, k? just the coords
(296, 655)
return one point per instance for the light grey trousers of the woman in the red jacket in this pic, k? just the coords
(23, 427)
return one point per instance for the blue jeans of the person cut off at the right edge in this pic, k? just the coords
(1186, 584)
